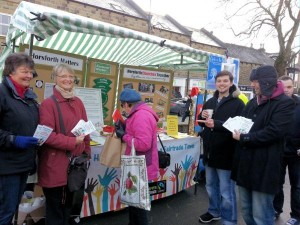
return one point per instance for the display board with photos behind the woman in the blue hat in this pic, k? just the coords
(155, 87)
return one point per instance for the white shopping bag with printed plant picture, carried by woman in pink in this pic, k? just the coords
(134, 190)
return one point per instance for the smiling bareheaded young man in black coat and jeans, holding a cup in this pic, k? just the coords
(218, 150)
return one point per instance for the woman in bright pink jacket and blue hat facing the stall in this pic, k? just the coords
(141, 125)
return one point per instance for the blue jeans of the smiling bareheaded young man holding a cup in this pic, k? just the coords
(221, 193)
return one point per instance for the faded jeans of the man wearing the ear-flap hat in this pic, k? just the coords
(256, 207)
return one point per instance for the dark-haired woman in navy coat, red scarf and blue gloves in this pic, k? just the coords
(19, 116)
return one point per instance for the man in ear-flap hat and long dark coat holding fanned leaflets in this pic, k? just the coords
(258, 153)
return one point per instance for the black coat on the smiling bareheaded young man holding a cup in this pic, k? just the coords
(218, 142)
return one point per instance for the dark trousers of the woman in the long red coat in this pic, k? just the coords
(62, 205)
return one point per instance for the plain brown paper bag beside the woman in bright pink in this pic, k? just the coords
(112, 150)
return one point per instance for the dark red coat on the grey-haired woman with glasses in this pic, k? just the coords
(53, 161)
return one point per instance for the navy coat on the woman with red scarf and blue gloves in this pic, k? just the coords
(17, 117)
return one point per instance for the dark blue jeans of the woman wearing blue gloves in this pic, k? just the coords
(11, 191)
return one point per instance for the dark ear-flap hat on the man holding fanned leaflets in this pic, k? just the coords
(266, 77)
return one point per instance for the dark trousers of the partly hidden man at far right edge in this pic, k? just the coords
(293, 165)
